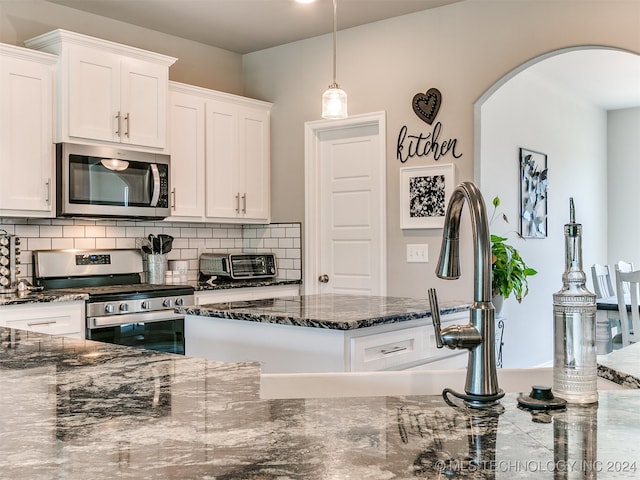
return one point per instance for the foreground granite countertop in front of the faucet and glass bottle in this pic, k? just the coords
(77, 409)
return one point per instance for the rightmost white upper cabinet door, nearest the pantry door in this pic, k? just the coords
(254, 163)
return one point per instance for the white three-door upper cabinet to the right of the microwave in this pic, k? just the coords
(219, 156)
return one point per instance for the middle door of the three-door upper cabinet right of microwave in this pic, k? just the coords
(223, 196)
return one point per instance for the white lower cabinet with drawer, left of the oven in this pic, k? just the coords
(53, 318)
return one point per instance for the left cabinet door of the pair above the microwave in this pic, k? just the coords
(94, 95)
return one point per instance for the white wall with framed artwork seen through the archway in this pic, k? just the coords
(529, 112)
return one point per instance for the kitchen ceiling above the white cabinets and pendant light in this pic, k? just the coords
(245, 26)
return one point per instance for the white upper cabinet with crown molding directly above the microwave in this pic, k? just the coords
(108, 92)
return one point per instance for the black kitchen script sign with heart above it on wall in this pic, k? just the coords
(426, 106)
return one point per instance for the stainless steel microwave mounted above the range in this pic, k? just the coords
(106, 182)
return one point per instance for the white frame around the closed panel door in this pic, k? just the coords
(312, 132)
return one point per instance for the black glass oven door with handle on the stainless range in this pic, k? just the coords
(160, 331)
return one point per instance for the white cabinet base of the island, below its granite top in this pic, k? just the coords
(294, 349)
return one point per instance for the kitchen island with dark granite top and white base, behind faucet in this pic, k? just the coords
(323, 333)
